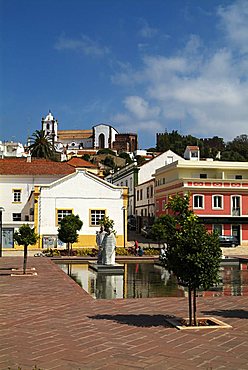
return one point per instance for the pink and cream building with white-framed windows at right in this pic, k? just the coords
(218, 189)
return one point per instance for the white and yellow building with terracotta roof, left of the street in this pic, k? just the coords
(28, 184)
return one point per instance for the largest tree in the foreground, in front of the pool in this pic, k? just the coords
(193, 254)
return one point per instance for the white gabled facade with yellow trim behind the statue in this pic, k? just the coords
(81, 193)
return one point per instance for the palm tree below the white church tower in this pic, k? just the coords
(41, 145)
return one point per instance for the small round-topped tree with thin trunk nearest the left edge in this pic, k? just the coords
(25, 236)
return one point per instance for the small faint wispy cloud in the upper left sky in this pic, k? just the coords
(84, 44)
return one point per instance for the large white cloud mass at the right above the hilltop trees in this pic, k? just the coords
(202, 89)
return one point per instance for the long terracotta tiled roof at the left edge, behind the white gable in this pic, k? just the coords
(20, 166)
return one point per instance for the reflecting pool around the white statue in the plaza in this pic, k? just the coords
(143, 280)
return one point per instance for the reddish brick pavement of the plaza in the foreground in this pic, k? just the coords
(48, 322)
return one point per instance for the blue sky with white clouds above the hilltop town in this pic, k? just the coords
(143, 66)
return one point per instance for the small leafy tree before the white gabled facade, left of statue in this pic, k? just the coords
(67, 231)
